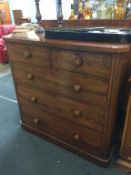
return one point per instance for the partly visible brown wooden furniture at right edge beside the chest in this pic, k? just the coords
(124, 163)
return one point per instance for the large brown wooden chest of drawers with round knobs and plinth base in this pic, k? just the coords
(68, 92)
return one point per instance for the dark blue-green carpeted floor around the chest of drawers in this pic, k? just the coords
(22, 153)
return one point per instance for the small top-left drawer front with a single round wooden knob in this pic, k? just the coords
(32, 55)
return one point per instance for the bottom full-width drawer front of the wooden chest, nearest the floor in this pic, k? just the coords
(69, 132)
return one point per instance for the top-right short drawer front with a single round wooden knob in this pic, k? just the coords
(94, 64)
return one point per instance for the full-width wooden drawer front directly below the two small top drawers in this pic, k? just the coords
(87, 90)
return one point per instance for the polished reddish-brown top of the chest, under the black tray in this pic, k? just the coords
(32, 39)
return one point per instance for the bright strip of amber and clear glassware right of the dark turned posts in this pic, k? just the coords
(96, 9)
